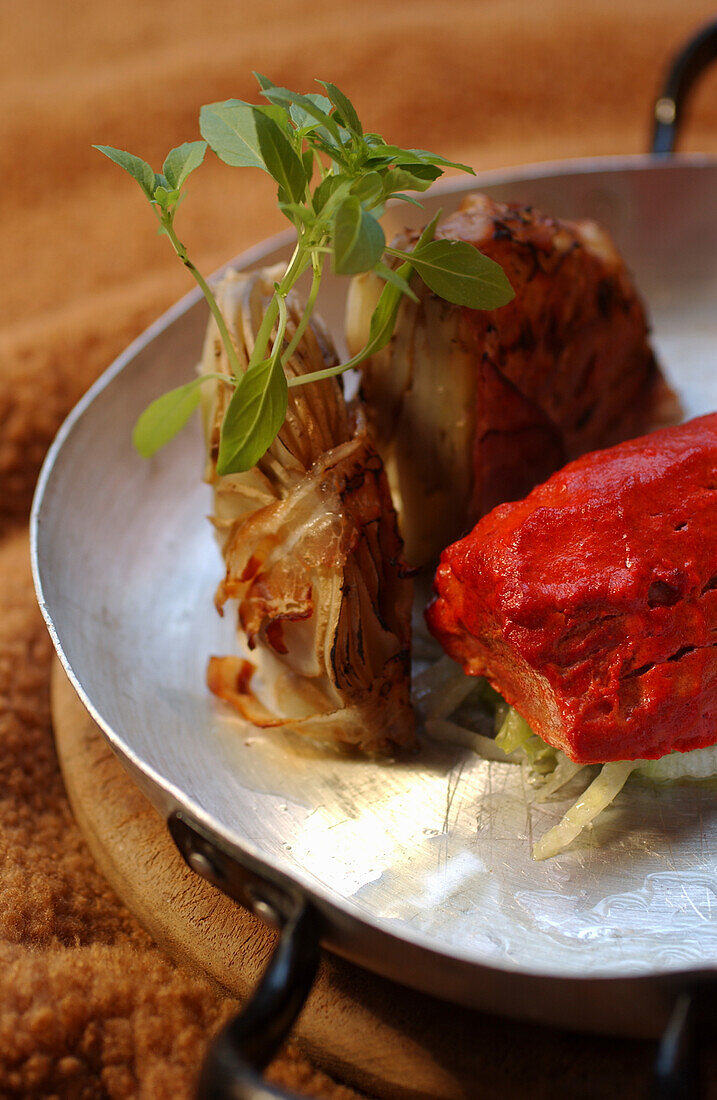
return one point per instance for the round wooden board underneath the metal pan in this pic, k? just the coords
(363, 1030)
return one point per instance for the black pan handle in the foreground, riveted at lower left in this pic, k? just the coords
(248, 1043)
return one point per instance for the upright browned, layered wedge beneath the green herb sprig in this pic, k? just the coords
(312, 551)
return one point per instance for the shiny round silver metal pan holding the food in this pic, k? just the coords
(422, 870)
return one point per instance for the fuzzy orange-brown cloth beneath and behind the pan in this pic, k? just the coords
(89, 1006)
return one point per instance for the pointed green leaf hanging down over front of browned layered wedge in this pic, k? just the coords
(253, 417)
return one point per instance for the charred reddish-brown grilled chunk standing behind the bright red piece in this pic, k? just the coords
(472, 408)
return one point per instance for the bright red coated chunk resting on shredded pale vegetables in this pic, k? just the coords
(592, 606)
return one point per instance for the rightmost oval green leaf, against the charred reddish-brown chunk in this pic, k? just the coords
(458, 272)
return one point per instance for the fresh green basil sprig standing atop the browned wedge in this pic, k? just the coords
(334, 182)
